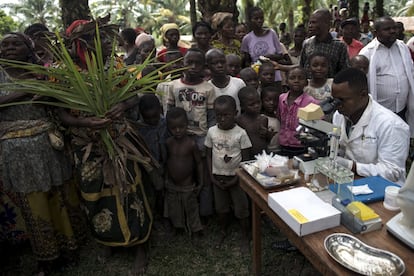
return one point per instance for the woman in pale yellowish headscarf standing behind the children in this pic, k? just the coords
(225, 38)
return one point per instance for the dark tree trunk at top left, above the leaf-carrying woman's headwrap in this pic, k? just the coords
(73, 10)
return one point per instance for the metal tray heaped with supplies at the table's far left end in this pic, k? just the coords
(269, 182)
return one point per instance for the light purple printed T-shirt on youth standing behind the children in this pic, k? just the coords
(257, 46)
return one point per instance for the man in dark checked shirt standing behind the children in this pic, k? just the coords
(323, 42)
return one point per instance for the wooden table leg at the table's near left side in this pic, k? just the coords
(257, 239)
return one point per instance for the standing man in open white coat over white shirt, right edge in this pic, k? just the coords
(391, 70)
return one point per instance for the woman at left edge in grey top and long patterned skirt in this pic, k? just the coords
(31, 167)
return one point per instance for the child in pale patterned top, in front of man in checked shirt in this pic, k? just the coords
(319, 86)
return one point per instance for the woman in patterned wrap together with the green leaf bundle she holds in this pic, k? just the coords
(112, 159)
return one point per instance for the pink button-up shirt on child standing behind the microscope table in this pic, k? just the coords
(289, 120)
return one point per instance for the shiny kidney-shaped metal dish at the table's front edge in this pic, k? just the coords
(362, 258)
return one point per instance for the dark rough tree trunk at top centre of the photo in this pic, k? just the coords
(209, 7)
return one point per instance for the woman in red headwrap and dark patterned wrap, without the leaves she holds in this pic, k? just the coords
(118, 216)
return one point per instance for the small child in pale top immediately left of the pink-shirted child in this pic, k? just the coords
(270, 99)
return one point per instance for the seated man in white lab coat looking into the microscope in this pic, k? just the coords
(374, 140)
